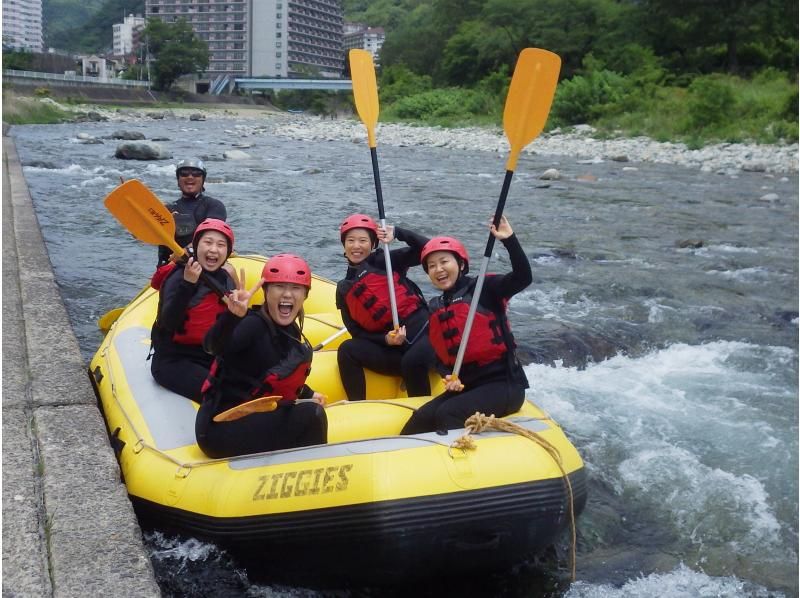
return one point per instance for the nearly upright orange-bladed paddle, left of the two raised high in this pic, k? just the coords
(365, 93)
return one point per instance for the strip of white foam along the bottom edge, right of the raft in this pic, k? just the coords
(682, 582)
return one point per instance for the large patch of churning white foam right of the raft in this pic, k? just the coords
(698, 442)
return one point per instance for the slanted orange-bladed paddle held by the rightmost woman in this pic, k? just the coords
(530, 96)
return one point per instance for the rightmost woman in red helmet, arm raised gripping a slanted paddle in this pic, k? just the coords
(491, 378)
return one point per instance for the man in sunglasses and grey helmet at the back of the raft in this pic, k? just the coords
(192, 207)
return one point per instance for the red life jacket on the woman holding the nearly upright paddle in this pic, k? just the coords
(369, 303)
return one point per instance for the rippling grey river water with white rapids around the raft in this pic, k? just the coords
(689, 428)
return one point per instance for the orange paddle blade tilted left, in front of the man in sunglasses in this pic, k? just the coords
(142, 214)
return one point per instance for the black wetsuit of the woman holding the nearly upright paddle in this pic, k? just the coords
(412, 360)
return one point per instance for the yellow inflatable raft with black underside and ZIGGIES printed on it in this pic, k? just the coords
(370, 505)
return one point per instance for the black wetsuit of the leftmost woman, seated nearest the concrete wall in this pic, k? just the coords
(180, 367)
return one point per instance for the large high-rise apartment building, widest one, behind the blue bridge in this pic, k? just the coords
(263, 38)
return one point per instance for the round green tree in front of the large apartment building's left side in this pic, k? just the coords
(177, 50)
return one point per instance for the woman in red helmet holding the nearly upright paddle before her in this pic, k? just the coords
(363, 298)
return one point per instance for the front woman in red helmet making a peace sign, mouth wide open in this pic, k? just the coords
(261, 352)
